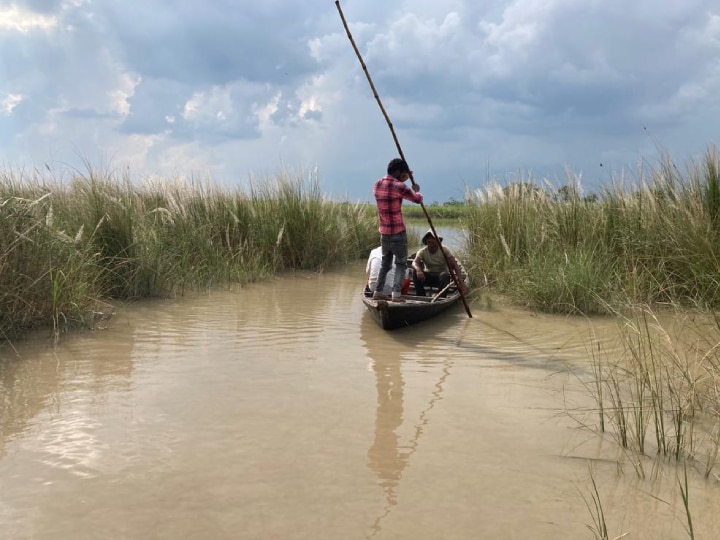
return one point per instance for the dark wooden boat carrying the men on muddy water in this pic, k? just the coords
(393, 315)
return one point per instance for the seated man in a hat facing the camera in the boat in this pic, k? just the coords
(430, 267)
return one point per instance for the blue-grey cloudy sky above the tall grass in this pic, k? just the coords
(475, 89)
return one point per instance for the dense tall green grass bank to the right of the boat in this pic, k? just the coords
(655, 242)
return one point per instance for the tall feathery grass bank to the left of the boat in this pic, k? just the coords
(65, 249)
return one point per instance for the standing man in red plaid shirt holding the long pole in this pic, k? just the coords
(389, 193)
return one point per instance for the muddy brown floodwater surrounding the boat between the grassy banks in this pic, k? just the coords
(281, 411)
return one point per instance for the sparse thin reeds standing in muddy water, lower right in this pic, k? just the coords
(660, 396)
